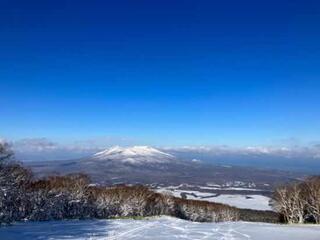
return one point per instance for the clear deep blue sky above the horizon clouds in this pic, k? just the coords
(163, 72)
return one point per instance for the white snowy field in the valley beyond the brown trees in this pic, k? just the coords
(255, 201)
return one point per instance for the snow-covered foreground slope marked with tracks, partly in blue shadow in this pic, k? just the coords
(157, 228)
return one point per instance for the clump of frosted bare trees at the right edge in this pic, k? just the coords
(299, 202)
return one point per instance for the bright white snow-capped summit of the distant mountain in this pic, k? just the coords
(134, 155)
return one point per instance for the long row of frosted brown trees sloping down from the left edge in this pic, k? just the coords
(72, 196)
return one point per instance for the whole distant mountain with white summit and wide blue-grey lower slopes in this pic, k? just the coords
(148, 165)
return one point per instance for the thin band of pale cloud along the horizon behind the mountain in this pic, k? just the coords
(47, 149)
